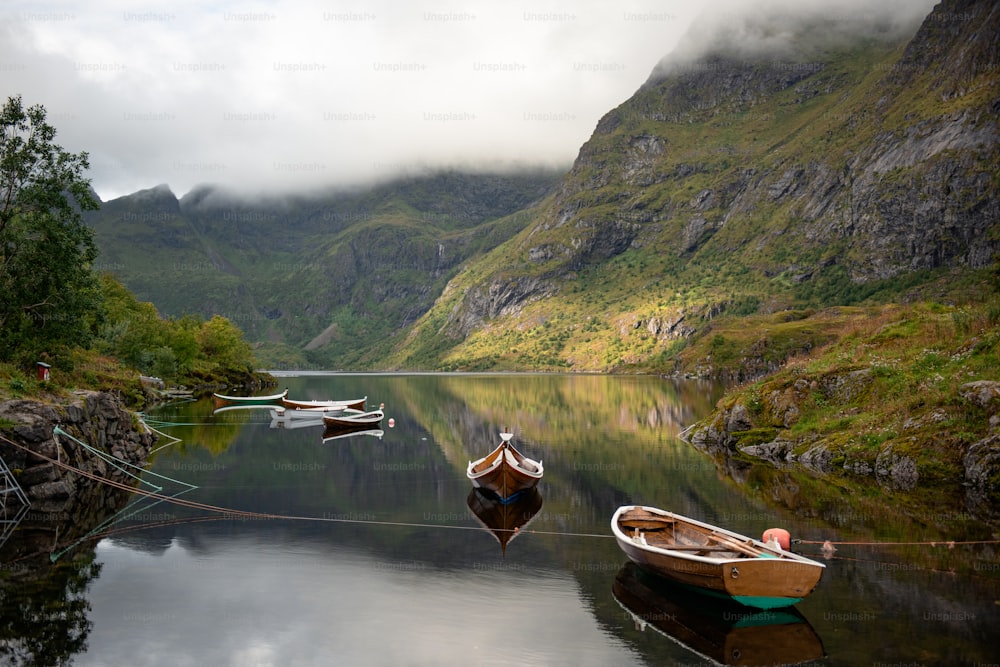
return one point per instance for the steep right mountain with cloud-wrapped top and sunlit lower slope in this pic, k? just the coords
(827, 167)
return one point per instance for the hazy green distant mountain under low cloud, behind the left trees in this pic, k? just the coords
(316, 278)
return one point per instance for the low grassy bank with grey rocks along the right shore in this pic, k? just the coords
(904, 395)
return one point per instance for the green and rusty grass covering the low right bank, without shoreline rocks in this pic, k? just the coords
(890, 377)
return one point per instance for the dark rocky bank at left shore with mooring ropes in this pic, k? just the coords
(94, 418)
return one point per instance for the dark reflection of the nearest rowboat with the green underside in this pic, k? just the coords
(715, 628)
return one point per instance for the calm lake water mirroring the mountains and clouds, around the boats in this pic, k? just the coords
(383, 560)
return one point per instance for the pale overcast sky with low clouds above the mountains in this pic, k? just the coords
(286, 95)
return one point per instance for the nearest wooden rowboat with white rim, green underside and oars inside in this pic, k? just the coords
(712, 559)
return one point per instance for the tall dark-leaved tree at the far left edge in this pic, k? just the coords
(50, 294)
